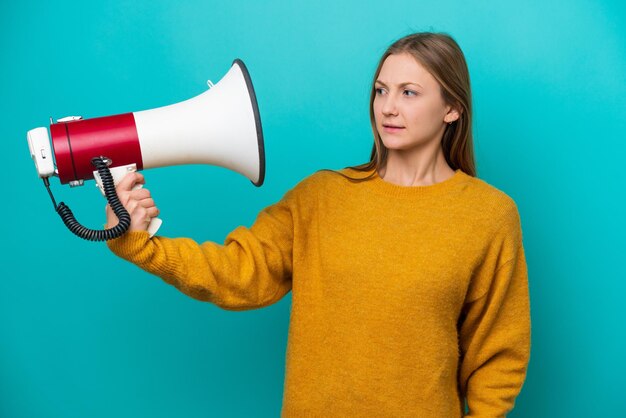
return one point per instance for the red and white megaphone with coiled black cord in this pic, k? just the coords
(221, 127)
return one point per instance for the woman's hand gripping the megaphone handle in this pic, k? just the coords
(138, 203)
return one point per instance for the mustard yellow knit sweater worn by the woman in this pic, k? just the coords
(405, 300)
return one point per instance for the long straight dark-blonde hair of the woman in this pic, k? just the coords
(442, 57)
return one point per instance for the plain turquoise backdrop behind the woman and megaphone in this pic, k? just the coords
(83, 333)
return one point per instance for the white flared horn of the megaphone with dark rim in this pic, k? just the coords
(217, 127)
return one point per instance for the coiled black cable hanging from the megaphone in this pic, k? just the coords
(111, 195)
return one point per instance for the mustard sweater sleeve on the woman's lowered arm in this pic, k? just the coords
(494, 332)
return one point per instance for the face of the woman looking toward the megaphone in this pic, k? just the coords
(408, 107)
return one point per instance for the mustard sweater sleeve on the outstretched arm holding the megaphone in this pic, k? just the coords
(250, 270)
